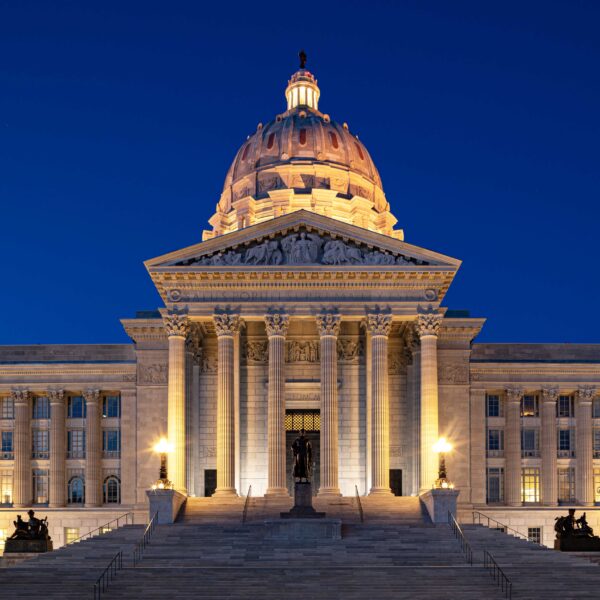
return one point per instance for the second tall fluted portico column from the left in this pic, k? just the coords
(227, 326)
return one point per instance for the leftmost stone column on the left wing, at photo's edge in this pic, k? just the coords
(22, 449)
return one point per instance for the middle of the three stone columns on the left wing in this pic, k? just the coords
(57, 449)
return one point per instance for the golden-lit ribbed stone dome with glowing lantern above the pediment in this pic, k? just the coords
(302, 159)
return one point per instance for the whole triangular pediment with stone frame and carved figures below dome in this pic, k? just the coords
(301, 239)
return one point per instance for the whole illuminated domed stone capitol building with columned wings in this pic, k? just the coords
(302, 307)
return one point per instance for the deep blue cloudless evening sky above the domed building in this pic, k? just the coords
(118, 121)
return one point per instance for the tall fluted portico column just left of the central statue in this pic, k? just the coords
(277, 326)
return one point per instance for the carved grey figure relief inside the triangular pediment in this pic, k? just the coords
(304, 248)
